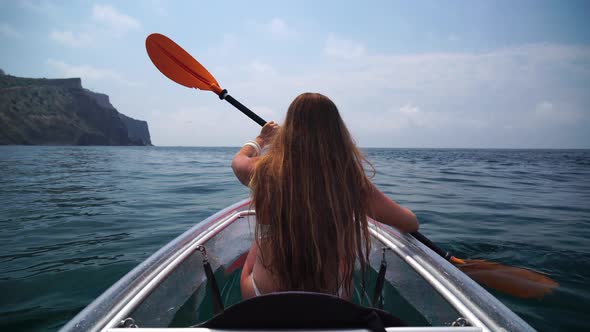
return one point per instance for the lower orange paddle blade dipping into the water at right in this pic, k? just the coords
(515, 281)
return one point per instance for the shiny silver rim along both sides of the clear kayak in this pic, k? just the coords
(468, 298)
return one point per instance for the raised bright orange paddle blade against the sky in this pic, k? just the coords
(176, 64)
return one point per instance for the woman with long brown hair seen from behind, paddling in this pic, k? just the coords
(312, 199)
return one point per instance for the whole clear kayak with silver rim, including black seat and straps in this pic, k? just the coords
(193, 283)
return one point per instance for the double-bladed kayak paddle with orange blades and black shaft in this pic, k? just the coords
(179, 66)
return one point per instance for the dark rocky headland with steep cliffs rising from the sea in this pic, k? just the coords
(39, 111)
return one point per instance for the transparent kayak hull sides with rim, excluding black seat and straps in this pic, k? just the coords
(169, 289)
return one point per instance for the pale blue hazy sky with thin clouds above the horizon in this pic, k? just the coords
(415, 74)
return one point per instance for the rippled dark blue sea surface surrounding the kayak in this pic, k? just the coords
(73, 220)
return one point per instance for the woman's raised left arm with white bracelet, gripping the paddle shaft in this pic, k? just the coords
(244, 161)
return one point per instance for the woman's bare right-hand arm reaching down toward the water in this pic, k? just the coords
(385, 210)
